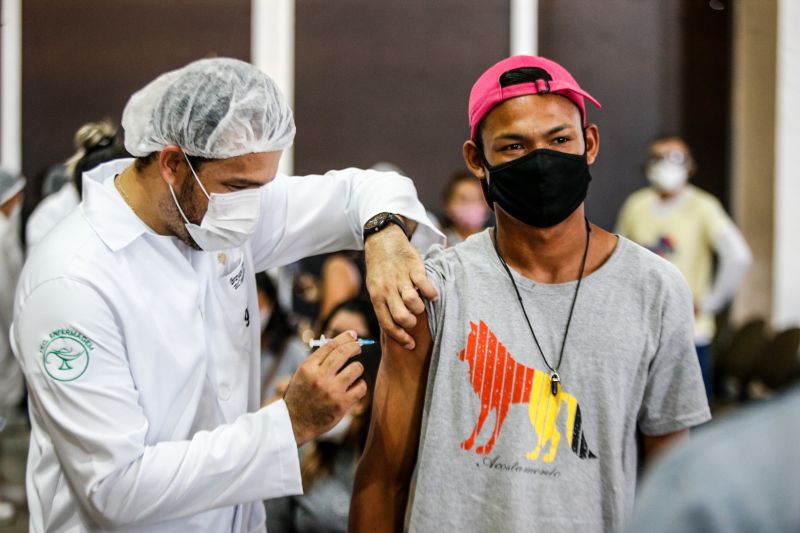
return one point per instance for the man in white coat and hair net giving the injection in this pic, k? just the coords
(136, 319)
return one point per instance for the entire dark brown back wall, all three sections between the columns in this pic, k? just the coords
(389, 81)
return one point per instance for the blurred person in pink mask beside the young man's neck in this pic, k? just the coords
(464, 207)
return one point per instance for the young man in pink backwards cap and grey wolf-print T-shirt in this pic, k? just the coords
(553, 347)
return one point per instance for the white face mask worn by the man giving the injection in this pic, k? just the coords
(230, 219)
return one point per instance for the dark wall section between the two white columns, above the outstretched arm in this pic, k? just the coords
(389, 81)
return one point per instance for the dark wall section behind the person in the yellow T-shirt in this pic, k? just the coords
(657, 67)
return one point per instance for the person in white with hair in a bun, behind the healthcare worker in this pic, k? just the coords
(91, 140)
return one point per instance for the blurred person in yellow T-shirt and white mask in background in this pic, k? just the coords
(688, 227)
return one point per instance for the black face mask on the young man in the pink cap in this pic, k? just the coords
(541, 188)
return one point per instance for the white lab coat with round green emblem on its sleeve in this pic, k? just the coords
(155, 425)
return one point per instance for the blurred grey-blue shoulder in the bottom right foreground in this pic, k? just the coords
(738, 475)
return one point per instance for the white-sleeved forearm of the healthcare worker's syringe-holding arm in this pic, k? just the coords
(247, 460)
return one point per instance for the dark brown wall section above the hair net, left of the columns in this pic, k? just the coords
(82, 60)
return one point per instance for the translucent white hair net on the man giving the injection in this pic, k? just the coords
(213, 108)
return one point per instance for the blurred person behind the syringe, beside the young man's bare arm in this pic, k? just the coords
(328, 464)
